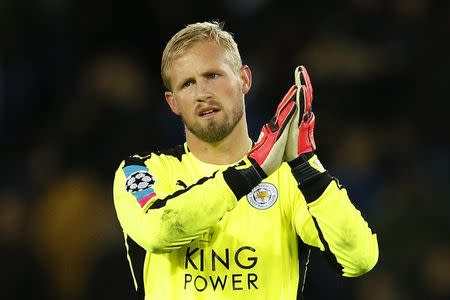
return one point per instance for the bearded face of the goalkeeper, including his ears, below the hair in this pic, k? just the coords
(207, 92)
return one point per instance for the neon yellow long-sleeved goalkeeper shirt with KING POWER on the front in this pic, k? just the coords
(203, 243)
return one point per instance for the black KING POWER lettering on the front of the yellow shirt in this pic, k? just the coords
(208, 269)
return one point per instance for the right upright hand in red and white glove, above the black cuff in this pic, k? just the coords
(301, 132)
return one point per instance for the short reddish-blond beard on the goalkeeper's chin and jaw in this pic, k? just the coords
(213, 131)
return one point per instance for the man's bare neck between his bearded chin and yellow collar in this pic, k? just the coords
(224, 152)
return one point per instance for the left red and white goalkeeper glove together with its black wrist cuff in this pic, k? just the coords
(266, 156)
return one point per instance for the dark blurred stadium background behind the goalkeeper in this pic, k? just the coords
(80, 90)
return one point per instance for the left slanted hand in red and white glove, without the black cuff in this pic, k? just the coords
(269, 150)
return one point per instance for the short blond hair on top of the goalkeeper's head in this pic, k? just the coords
(192, 33)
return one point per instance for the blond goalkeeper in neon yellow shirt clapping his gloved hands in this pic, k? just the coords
(220, 215)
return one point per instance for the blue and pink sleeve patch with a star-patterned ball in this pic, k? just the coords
(140, 183)
